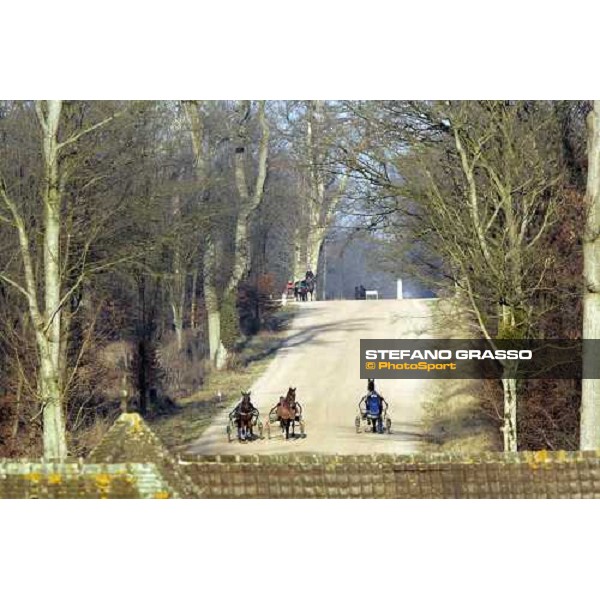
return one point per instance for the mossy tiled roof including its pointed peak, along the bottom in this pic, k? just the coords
(131, 462)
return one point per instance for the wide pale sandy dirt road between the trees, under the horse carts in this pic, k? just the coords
(321, 358)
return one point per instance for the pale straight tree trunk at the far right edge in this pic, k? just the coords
(590, 388)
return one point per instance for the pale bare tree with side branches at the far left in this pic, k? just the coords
(46, 311)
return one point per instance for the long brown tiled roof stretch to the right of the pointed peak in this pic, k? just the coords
(489, 475)
